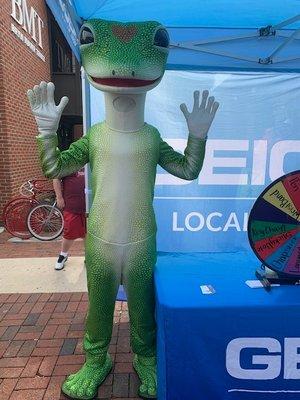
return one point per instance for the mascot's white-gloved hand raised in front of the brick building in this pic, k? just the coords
(46, 113)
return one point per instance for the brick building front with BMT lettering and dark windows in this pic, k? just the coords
(32, 49)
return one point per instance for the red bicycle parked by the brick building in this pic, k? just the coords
(34, 213)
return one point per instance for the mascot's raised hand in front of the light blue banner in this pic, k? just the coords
(202, 116)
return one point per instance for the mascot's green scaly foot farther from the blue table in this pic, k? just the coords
(84, 384)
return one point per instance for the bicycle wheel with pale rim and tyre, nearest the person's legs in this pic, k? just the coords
(45, 222)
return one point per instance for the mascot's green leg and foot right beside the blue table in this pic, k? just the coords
(139, 285)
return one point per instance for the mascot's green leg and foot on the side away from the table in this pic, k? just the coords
(103, 278)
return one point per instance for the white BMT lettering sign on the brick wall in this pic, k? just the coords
(26, 19)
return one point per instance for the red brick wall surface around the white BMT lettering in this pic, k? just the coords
(20, 69)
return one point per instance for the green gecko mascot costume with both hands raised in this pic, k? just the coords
(124, 60)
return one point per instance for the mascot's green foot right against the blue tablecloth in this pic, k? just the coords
(145, 367)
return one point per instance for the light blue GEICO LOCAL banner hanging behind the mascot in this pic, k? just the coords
(254, 140)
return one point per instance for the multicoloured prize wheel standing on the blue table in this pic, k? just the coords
(274, 225)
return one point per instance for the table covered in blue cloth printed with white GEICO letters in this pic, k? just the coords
(237, 344)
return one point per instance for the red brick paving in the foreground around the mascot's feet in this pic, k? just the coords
(41, 342)
